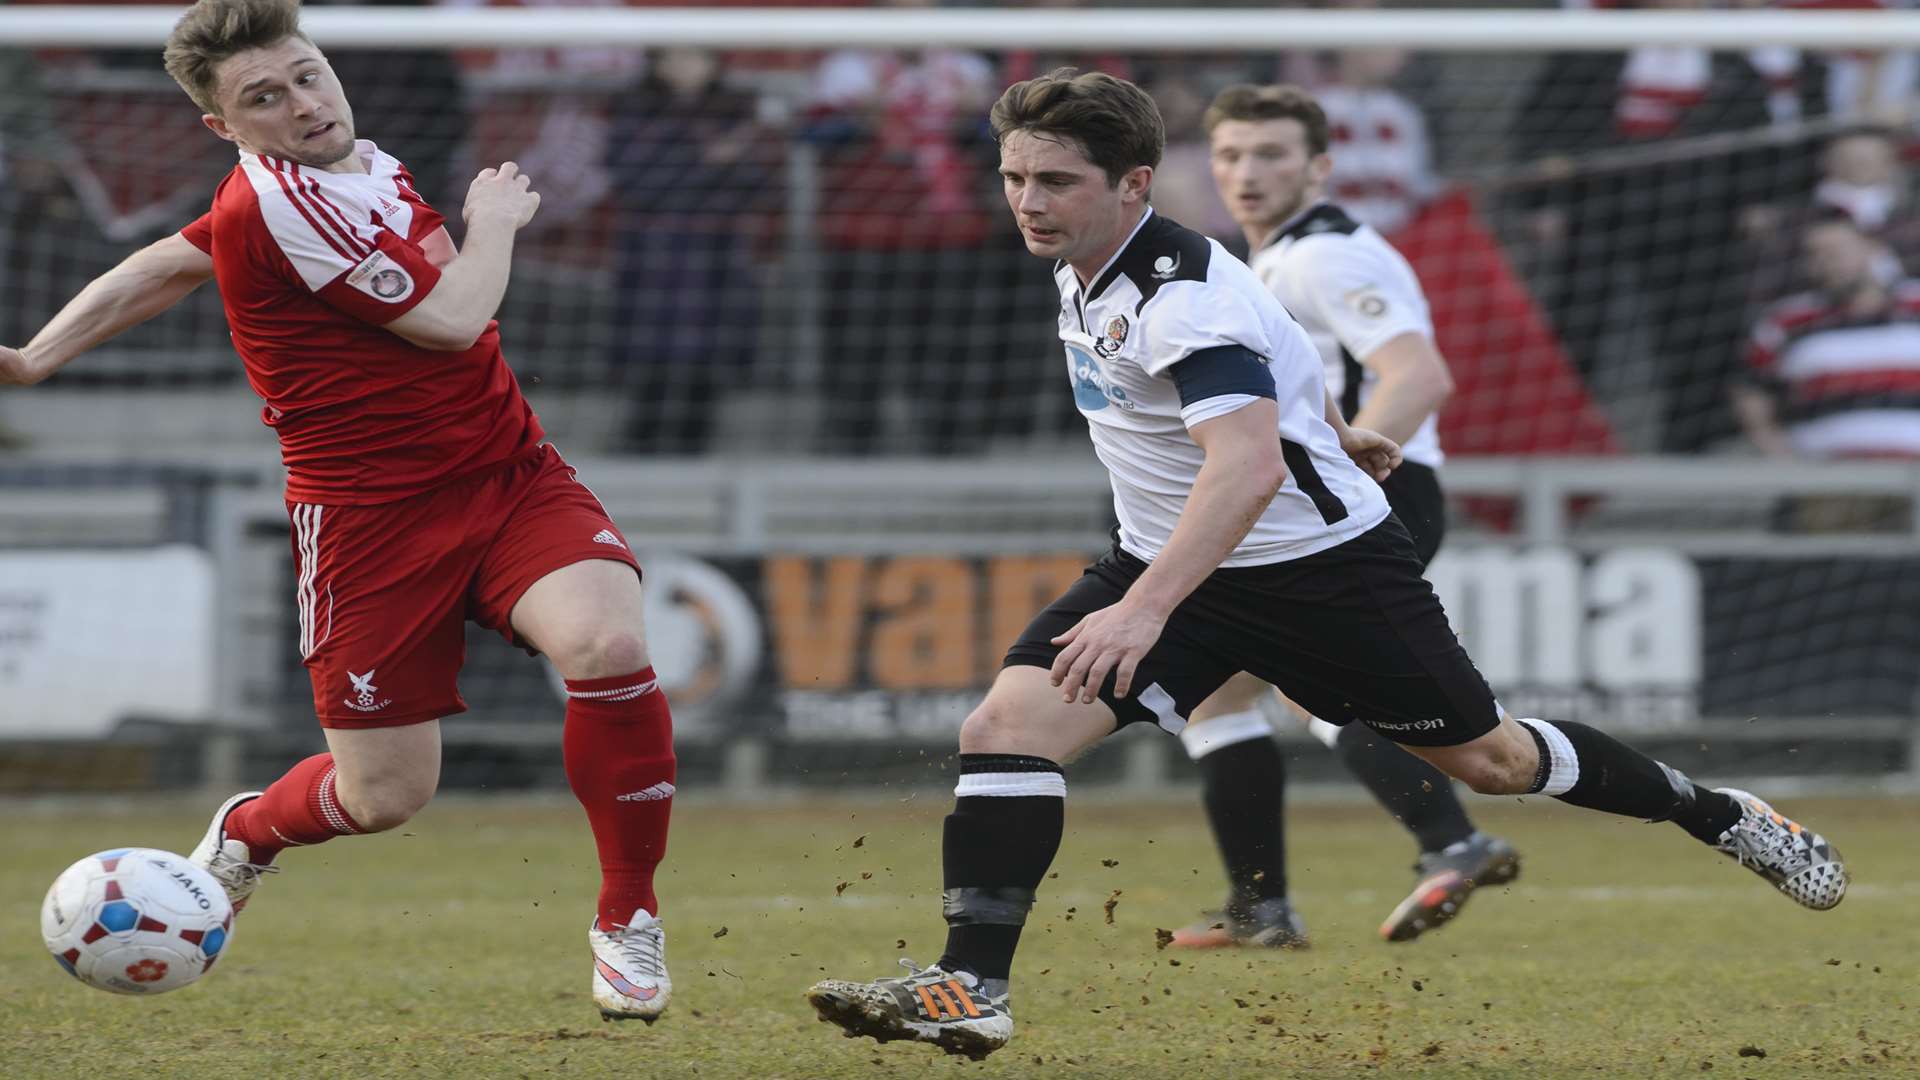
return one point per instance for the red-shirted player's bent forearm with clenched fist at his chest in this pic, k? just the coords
(473, 283)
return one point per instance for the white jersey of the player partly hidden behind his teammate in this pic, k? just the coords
(1353, 293)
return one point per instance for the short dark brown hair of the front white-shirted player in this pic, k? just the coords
(1116, 126)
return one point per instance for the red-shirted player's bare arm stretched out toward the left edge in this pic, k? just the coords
(143, 285)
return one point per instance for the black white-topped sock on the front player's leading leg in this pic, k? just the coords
(1003, 835)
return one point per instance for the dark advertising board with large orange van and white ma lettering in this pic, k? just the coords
(900, 649)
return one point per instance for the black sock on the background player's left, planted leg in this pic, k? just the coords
(1245, 789)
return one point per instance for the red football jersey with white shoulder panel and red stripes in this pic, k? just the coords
(312, 266)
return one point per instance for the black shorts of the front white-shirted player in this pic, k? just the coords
(1353, 633)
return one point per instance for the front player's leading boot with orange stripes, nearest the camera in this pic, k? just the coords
(944, 1008)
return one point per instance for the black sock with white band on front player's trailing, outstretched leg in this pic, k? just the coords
(1589, 768)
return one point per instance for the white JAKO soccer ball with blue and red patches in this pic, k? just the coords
(135, 921)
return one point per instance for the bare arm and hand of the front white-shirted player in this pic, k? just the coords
(1241, 474)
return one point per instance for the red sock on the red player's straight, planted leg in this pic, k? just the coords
(619, 750)
